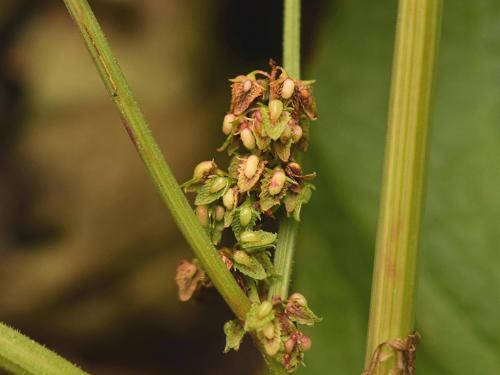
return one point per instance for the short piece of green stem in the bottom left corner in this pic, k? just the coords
(21, 355)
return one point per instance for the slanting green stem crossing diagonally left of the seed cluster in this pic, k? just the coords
(146, 146)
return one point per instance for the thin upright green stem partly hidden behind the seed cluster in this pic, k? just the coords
(288, 230)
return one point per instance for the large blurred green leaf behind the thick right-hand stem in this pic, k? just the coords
(458, 301)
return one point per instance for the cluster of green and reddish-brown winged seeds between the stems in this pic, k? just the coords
(267, 124)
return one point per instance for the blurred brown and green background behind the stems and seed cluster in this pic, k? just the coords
(88, 251)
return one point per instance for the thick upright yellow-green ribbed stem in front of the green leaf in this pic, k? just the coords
(393, 288)
